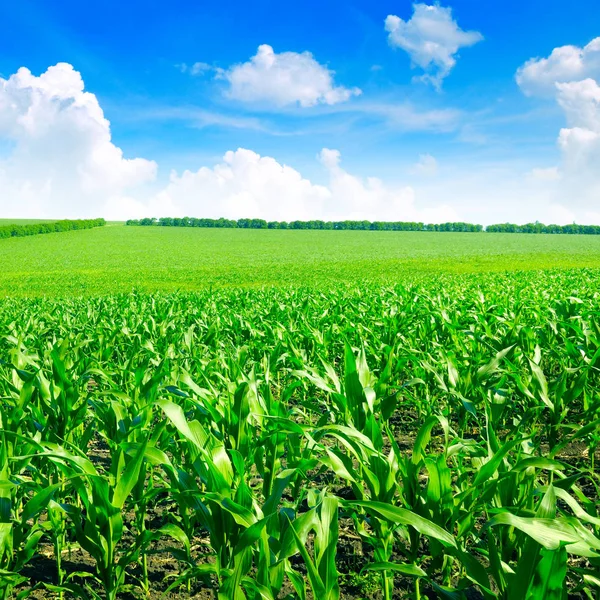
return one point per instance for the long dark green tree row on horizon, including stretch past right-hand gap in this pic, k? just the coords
(369, 225)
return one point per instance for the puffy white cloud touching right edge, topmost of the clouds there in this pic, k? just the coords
(539, 76)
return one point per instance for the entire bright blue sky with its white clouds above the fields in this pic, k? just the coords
(466, 142)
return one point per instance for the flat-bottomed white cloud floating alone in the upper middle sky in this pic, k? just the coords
(284, 79)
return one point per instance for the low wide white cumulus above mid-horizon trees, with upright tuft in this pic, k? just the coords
(246, 184)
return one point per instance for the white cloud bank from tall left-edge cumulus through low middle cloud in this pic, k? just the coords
(63, 163)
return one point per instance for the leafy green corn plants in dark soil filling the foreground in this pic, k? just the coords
(432, 440)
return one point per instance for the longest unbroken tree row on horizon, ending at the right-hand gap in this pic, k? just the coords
(317, 224)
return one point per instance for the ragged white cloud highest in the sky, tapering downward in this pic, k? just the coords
(432, 38)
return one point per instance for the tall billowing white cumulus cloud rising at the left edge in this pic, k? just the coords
(62, 160)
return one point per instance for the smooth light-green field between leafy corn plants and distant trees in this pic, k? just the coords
(119, 259)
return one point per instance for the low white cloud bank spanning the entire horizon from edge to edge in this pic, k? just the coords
(58, 159)
